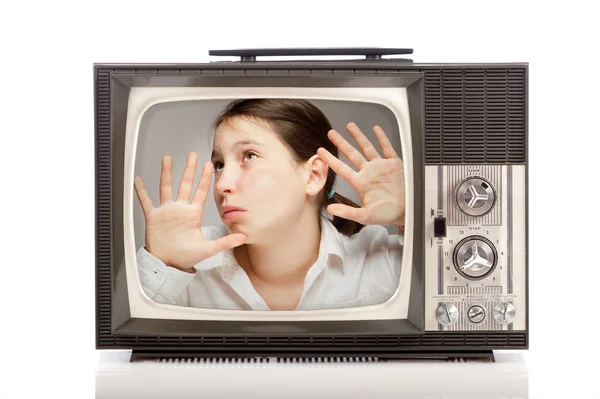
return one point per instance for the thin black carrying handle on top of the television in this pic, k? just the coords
(249, 55)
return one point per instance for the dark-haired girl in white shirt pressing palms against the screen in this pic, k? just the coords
(275, 163)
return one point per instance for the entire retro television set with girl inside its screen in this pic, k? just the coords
(215, 234)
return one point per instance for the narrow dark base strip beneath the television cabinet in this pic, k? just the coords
(313, 357)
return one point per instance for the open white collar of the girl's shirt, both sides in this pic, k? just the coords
(331, 244)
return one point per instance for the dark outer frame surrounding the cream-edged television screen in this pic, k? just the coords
(120, 79)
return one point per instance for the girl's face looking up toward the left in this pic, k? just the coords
(255, 171)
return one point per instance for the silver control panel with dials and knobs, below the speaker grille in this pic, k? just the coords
(475, 247)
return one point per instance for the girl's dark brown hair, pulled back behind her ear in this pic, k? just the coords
(302, 128)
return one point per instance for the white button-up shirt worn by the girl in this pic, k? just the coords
(358, 270)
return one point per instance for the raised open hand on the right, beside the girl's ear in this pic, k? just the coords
(378, 181)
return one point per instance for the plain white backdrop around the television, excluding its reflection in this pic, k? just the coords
(47, 154)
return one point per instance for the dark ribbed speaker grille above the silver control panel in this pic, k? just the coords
(475, 116)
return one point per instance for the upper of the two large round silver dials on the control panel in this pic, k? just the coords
(475, 196)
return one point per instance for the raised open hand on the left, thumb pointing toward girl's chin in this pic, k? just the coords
(173, 230)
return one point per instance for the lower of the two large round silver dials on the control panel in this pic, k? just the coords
(475, 257)
